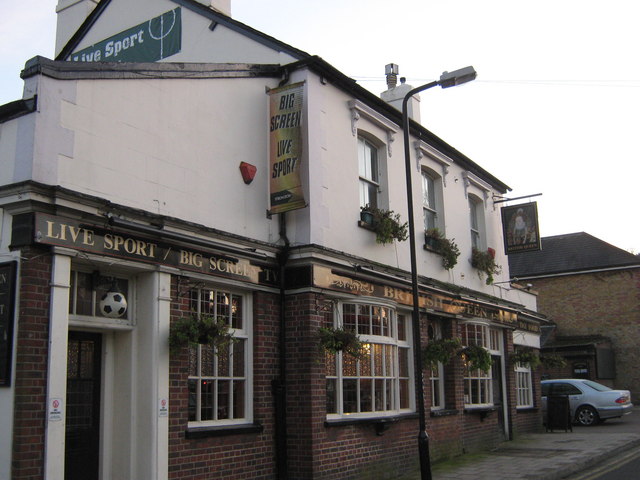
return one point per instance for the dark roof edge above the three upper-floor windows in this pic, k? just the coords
(349, 85)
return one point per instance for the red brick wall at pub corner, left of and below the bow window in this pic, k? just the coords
(337, 452)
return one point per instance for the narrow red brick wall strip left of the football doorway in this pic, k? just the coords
(31, 365)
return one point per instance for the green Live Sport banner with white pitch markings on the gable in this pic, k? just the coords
(150, 41)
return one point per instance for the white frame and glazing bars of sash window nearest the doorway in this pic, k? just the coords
(244, 335)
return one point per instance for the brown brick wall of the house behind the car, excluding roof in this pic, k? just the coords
(605, 303)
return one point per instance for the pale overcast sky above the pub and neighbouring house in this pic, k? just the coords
(554, 109)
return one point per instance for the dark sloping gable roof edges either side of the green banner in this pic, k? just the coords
(194, 6)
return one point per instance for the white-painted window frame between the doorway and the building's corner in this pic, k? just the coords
(245, 335)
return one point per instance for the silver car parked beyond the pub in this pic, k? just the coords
(589, 401)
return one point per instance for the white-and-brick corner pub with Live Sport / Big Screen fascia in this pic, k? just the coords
(173, 168)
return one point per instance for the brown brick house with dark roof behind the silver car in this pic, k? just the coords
(591, 291)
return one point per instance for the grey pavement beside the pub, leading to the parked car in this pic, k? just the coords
(547, 456)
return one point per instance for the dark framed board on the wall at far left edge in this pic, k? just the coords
(7, 296)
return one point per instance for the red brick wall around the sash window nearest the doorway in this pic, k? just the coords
(239, 456)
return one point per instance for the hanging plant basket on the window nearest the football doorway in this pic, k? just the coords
(199, 329)
